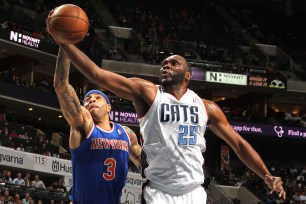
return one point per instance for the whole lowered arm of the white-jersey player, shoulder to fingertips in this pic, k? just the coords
(219, 124)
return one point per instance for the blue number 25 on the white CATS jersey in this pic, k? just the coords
(187, 135)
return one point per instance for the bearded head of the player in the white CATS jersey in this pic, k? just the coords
(173, 70)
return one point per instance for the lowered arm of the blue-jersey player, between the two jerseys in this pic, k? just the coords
(135, 150)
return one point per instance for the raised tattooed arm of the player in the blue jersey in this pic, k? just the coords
(77, 116)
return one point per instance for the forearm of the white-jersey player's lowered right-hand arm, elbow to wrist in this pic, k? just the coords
(252, 159)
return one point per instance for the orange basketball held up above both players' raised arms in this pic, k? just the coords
(68, 24)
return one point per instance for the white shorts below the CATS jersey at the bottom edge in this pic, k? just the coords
(155, 196)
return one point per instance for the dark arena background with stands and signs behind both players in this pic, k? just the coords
(247, 57)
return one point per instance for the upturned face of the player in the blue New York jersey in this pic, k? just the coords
(95, 104)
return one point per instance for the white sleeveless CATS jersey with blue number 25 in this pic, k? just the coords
(173, 132)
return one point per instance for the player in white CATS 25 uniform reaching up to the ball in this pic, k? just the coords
(172, 122)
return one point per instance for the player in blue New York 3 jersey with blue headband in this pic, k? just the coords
(100, 148)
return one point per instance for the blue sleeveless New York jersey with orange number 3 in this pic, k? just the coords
(100, 166)
